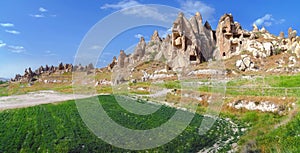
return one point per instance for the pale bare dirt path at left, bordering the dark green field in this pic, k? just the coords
(35, 98)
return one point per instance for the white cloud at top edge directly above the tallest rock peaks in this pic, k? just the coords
(191, 7)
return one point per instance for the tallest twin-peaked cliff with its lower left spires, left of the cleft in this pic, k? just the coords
(191, 42)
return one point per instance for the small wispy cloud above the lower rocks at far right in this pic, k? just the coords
(268, 20)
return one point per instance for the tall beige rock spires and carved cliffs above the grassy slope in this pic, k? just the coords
(193, 42)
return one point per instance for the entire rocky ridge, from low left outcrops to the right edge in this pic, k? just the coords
(191, 43)
